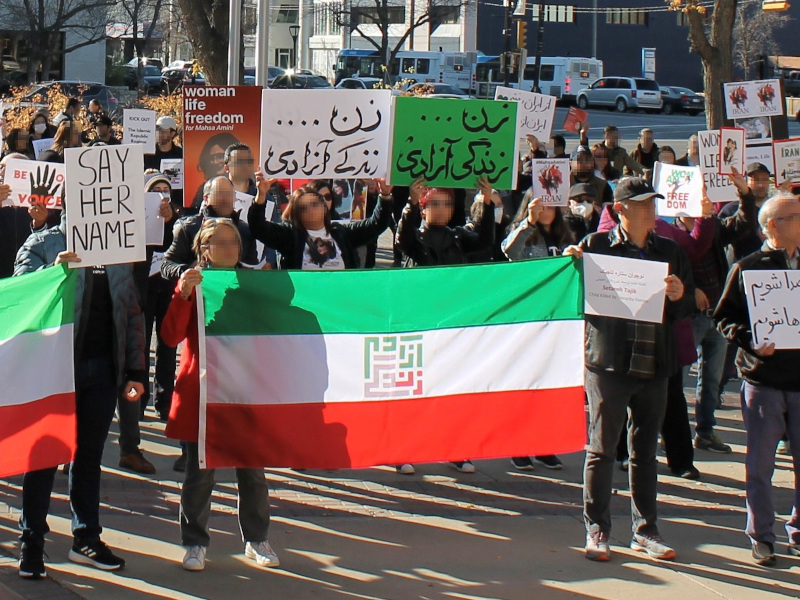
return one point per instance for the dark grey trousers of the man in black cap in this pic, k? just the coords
(611, 398)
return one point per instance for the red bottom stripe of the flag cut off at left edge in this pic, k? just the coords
(37, 435)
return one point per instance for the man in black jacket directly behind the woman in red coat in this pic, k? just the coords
(219, 203)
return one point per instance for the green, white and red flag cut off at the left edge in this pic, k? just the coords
(37, 402)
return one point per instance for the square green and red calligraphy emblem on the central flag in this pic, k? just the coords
(393, 366)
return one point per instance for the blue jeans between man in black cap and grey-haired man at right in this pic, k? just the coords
(711, 348)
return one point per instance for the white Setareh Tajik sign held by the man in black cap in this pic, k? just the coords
(626, 288)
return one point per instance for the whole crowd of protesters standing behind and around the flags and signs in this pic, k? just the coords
(634, 379)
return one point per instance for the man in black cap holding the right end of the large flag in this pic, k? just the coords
(628, 364)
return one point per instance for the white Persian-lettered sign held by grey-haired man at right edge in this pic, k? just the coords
(773, 303)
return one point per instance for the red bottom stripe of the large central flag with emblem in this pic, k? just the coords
(361, 434)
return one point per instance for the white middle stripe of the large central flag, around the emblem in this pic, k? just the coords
(332, 367)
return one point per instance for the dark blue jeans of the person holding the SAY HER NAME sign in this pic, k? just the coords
(95, 400)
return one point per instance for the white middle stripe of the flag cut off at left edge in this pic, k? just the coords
(33, 365)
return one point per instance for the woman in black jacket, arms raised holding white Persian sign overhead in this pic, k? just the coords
(308, 239)
